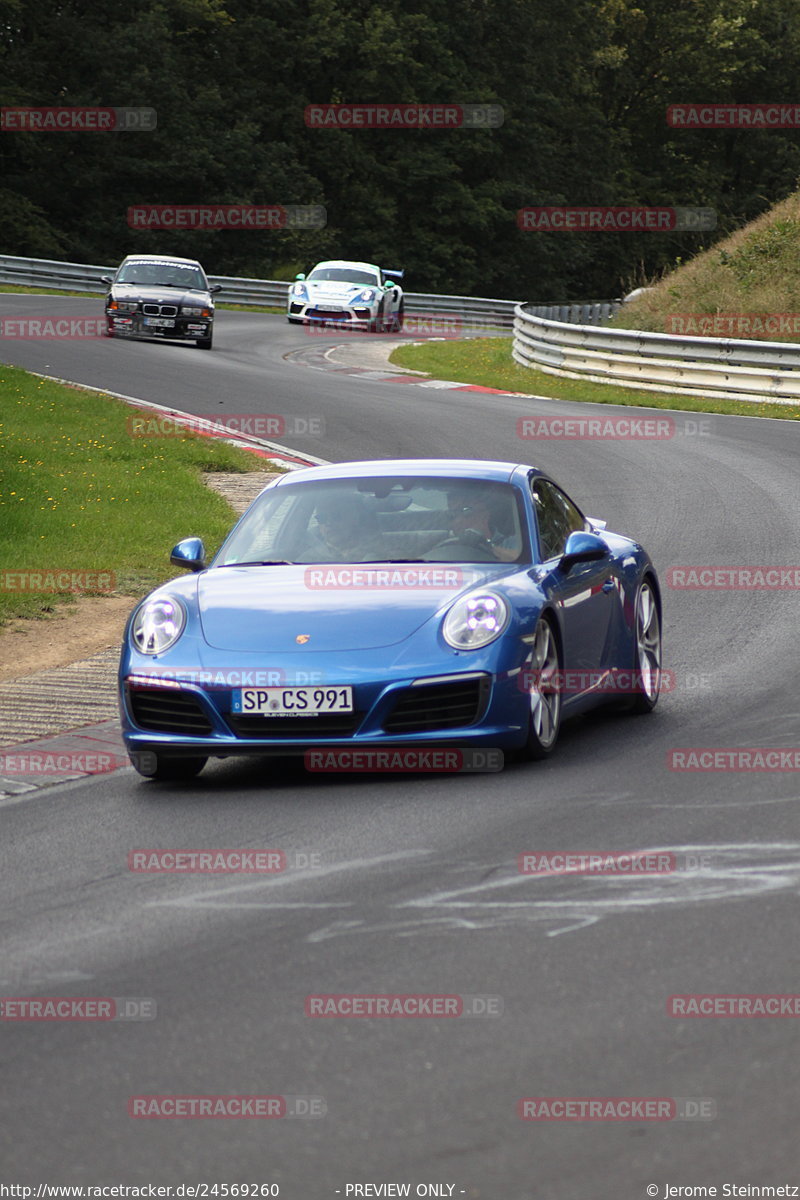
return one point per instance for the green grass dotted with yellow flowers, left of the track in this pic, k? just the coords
(80, 494)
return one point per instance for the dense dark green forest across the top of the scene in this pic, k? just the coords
(585, 87)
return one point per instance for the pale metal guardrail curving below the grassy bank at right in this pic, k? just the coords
(732, 369)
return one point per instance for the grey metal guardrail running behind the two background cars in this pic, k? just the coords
(274, 293)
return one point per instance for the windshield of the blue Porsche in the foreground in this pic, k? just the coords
(382, 520)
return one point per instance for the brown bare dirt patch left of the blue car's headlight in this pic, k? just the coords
(74, 633)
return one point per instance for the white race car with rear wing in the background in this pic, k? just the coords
(358, 295)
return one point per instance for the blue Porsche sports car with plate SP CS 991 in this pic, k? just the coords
(392, 604)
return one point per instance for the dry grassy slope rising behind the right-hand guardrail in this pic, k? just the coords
(754, 272)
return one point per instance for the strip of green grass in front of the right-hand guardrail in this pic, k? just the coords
(489, 363)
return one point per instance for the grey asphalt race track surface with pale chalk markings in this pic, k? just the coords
(419, 890)
